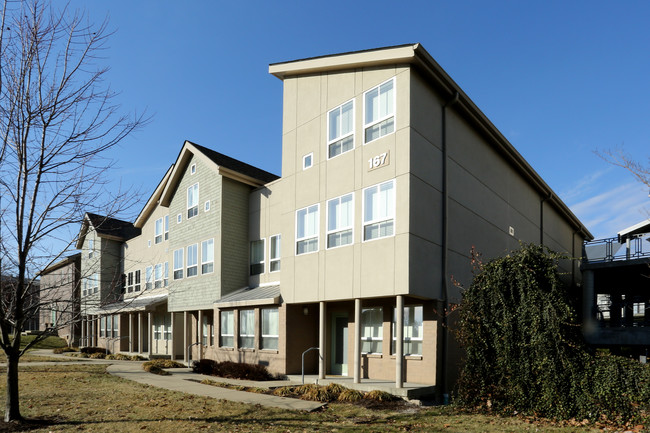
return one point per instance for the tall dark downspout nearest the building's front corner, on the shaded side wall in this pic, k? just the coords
(445, 251)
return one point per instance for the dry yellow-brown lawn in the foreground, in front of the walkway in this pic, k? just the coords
(86, 398)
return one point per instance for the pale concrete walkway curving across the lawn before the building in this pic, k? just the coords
(184, 380)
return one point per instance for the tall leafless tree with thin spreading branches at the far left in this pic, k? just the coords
(57, 120)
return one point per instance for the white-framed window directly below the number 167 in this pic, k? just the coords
(379, 210)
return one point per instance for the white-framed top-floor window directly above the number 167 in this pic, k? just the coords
(379, 111)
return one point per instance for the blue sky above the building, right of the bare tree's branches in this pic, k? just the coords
(559, 79)
